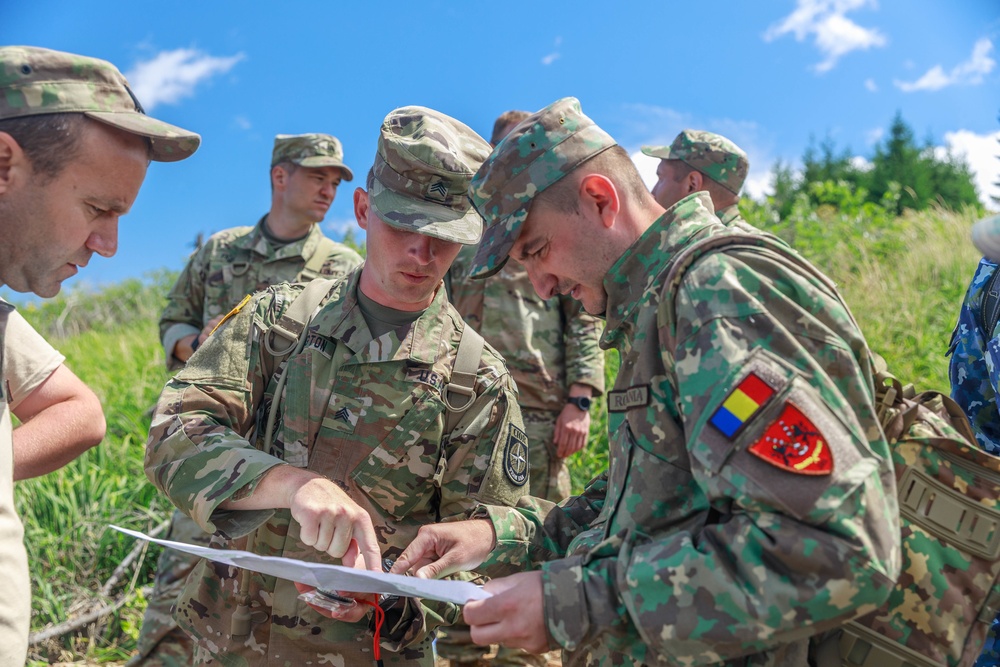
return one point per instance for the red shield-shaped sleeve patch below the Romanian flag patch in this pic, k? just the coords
(793, 443)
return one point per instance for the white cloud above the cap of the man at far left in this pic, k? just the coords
(172, 75)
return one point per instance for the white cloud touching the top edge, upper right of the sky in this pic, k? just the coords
(834, 34)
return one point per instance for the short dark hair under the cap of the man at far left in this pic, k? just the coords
(50, 141)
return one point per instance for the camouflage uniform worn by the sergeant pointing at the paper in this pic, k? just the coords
(365, 413)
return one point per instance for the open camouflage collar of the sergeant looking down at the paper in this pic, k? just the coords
(342, 318)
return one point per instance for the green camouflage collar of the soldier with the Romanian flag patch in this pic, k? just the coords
(636, 278)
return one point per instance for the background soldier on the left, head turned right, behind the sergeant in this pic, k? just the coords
(286, 245)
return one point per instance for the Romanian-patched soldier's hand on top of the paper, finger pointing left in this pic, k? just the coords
(440, 549)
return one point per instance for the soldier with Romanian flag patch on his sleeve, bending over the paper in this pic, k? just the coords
(750, 502)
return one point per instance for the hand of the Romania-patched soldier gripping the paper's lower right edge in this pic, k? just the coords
(513, 616)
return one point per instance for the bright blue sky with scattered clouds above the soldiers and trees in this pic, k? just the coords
(769, 75)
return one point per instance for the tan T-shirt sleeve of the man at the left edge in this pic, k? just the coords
(28, 359)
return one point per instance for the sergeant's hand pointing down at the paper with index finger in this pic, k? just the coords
(329, 520)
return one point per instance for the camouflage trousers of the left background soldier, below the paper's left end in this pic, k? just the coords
(161, 643)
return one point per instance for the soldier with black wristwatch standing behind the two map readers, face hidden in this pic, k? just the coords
(552, 347)
